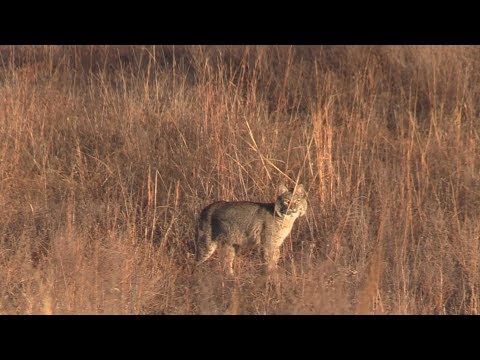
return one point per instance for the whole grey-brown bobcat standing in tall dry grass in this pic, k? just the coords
(244, 223)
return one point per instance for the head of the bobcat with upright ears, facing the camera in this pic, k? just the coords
(291, 202)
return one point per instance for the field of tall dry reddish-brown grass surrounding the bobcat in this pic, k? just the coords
(109, 153)
